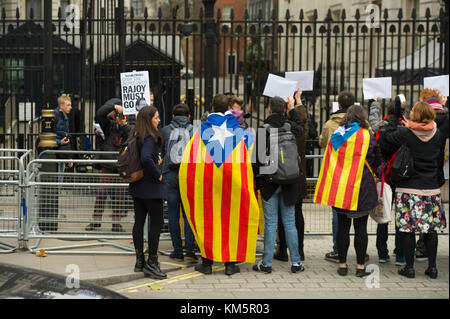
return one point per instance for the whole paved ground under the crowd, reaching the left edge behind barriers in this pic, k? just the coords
(319, 281)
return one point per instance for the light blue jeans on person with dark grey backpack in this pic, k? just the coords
(270, 208)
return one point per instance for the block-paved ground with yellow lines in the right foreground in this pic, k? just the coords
(319, 281)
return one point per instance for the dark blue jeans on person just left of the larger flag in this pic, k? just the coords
(173, 210)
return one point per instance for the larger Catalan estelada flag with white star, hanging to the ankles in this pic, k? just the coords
(217, 189)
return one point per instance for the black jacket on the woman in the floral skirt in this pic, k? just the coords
(428, 156)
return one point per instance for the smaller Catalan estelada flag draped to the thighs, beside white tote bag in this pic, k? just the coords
(342, 168)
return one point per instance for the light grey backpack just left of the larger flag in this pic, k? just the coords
(177, 136)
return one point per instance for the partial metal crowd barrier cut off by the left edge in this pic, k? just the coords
(11, 197)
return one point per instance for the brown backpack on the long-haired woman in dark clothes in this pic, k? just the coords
(129, 164)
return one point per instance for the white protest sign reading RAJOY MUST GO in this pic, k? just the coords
(135, 86)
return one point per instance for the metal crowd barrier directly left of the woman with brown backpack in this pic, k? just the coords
(62, 205)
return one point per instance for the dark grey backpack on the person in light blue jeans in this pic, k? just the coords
(289, 161)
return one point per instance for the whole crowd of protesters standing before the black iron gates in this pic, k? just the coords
(359, 145)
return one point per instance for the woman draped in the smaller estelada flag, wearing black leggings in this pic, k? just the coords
(347, 182)
